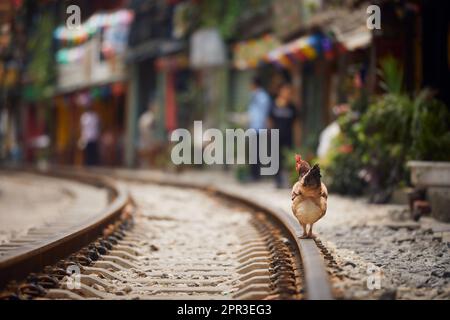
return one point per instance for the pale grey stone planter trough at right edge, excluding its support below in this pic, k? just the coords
(430, 173)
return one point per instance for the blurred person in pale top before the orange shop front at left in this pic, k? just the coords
(90, 133)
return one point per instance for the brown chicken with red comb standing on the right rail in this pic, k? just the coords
(309, 196)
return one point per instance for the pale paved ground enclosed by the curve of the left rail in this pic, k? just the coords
(32, 201)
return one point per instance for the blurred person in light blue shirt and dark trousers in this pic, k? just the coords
(258, 112)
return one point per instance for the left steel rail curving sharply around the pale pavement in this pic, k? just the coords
(18, 263)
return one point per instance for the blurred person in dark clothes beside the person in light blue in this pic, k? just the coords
(282, 116)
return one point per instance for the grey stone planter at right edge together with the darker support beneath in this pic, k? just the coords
(435, 177)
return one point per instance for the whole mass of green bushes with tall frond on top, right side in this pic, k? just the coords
(375, 145)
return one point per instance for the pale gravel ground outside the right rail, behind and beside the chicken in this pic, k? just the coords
(379, 243)
